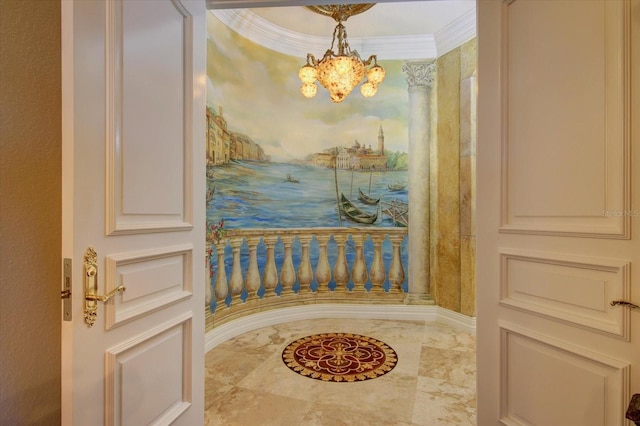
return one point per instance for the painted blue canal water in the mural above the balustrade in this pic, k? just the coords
(253, 194)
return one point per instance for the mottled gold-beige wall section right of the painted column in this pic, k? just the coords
(453, 183)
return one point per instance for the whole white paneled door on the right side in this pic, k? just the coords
(558, 211)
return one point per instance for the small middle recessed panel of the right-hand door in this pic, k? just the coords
(567, 288)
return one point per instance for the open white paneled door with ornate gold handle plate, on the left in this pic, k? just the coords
(133, 211)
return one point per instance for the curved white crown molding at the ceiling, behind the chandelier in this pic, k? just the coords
(274, 37)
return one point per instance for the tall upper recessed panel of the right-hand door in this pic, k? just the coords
(566, 124)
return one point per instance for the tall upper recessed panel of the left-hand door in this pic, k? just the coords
(145, 53)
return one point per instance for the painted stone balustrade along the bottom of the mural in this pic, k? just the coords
(270, 249)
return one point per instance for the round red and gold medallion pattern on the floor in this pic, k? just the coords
(339, 357)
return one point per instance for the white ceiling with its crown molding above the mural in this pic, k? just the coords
(394, 30)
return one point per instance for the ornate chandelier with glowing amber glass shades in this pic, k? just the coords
(340, 72)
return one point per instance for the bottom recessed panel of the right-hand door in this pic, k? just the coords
(591, 388)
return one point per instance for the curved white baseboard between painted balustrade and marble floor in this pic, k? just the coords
(248, 323)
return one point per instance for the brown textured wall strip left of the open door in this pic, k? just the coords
(30, 212)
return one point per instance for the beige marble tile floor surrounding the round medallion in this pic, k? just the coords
(433, 383)
